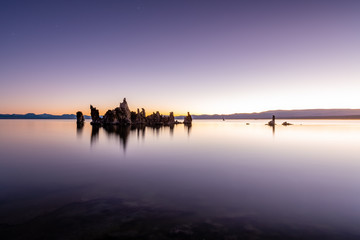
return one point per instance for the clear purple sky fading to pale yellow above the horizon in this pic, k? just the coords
(179, 55)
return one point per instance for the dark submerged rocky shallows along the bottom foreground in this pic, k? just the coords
(118, 219)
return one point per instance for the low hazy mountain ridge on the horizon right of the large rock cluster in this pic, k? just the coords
(288, 114)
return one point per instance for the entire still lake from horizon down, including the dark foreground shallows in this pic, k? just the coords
(227, 179)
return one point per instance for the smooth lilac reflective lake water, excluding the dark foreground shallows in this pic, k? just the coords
(307, 174)
